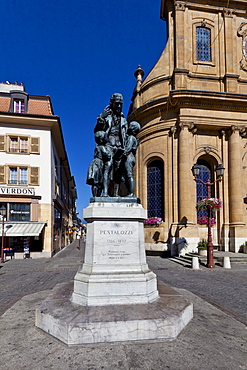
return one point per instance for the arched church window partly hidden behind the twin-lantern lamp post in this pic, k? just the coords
(205, 174)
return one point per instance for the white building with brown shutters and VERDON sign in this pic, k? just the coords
(37, 190)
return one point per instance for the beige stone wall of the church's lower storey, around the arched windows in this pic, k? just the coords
(208, 143)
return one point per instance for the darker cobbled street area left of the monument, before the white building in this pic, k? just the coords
(26, 276)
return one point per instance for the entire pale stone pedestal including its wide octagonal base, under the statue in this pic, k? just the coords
(114, 297)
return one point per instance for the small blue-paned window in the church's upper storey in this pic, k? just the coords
(203, 44)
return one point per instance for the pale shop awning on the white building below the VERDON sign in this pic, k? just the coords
(22, 228)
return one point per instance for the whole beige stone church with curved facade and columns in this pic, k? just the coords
(192, 108)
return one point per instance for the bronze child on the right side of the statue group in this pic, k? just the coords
(130, 148)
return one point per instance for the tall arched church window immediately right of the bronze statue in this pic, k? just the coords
(155, 189)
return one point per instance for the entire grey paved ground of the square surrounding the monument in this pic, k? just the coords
(212, 340)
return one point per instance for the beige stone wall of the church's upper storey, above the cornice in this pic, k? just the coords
(220, 75)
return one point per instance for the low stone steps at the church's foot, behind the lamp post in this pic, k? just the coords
(186, 260)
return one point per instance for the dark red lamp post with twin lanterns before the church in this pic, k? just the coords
(219, 173)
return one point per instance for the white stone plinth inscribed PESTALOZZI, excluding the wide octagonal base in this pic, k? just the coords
(115, 269)
